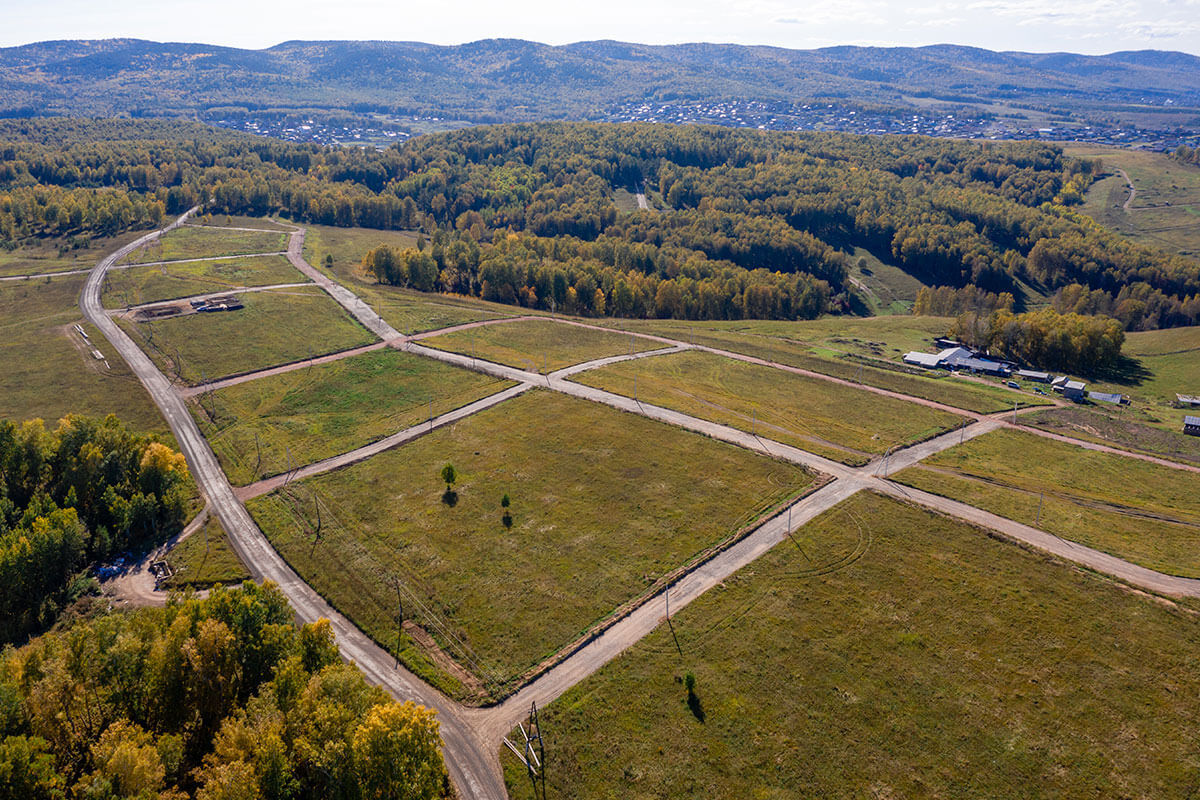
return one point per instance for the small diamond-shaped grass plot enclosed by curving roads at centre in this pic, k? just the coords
(539, 346)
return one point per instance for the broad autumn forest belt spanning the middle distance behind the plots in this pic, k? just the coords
(748, 224)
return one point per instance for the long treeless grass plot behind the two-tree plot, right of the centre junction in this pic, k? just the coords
(837, 422)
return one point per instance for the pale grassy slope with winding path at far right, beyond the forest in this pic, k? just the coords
(1166, 210)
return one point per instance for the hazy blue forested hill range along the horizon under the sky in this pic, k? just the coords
(513, 80)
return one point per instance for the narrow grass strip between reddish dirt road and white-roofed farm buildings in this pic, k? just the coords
(961, 393)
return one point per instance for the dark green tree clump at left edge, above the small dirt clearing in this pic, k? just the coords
(74, 496)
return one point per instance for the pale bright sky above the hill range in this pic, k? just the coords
(1091, 27)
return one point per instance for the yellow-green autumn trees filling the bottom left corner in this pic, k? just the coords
(223, 699)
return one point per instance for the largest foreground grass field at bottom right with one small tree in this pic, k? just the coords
(943, 664)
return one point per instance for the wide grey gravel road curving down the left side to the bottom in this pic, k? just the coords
(473, 767)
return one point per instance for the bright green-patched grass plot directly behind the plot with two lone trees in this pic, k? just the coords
(257, 429)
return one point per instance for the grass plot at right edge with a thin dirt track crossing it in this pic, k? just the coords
(1136, 510)
